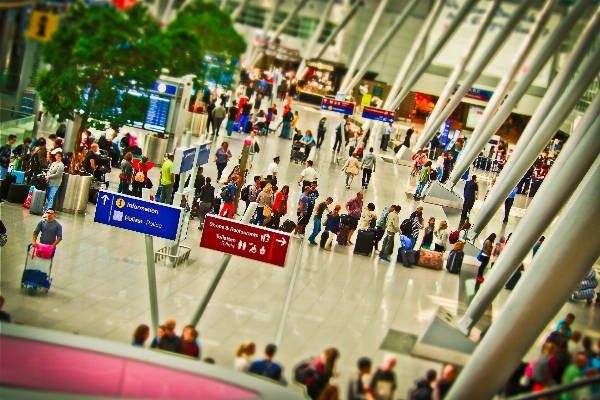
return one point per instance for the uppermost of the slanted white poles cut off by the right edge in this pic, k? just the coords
(558, 86)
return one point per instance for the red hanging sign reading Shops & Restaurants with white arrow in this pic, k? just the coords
(249, 241)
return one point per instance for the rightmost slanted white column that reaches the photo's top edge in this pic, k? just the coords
(482, 135)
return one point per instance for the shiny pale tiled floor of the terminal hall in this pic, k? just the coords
(362, 306)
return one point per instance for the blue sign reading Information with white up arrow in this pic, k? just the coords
(135, 214)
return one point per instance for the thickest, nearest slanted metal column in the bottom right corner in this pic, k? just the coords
(555, 272)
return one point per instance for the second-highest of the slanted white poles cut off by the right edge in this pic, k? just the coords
(521, 161)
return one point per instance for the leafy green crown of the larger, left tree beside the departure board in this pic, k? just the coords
(105, 52)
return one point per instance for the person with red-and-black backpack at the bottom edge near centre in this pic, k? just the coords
(316, 373)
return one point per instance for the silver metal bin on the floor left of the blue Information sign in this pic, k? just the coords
(74, 192)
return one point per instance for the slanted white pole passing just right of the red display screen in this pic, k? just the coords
(458, 70)
